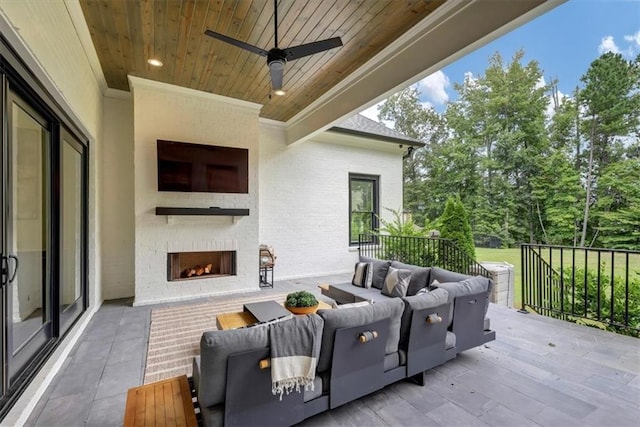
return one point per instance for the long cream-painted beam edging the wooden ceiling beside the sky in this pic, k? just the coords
(459, 27)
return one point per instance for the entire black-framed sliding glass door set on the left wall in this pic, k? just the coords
(43, 228)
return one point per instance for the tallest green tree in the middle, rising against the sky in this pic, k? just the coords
(498, 125)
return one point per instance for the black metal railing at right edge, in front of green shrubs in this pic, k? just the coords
(600, 287)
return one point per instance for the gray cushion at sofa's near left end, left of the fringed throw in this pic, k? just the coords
(215, 348)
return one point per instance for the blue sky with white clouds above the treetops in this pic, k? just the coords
(564, 41)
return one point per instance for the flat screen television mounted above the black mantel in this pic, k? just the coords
(201, 168)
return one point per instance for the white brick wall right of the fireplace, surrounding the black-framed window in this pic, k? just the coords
(304, 198)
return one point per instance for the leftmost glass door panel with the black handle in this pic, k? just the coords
(28, 237)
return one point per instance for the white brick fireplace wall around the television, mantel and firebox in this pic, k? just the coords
(164, 111)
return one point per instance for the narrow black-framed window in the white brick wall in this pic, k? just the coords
(363, 205)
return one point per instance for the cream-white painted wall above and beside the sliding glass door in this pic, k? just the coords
(47, 32)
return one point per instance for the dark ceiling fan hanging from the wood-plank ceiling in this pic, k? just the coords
(276, 57)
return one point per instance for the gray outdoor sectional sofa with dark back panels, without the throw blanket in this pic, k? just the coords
(412, 334)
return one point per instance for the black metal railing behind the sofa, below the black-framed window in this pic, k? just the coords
(421, 251)
